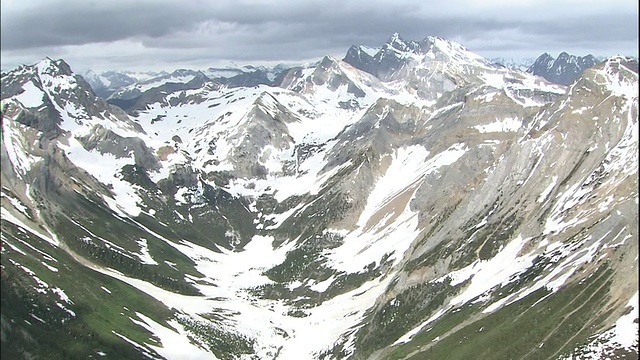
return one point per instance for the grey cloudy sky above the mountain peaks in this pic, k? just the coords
(166, 34)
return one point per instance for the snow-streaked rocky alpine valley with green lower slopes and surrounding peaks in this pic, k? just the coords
(414, 201)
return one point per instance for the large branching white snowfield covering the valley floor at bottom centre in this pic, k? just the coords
(231, 274)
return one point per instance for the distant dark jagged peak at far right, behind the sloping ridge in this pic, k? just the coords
(563, 70)
